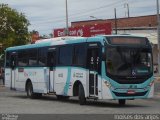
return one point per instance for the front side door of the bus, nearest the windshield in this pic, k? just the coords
(93, 64)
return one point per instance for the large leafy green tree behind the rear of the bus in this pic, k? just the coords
(13, 27)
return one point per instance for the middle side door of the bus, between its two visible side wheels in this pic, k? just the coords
(51, 63)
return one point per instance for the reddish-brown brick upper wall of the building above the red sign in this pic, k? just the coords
(140, 21)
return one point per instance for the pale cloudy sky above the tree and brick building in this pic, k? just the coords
(46, 15)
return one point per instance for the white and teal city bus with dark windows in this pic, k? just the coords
(115, 67)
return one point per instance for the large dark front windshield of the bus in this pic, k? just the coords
(130, 62)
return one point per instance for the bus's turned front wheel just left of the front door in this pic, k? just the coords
(82, 99)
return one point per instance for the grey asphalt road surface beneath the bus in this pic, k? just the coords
(16, 102)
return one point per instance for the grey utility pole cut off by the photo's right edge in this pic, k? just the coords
(158, 35)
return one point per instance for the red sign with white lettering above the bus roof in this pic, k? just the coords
(85, 31)
